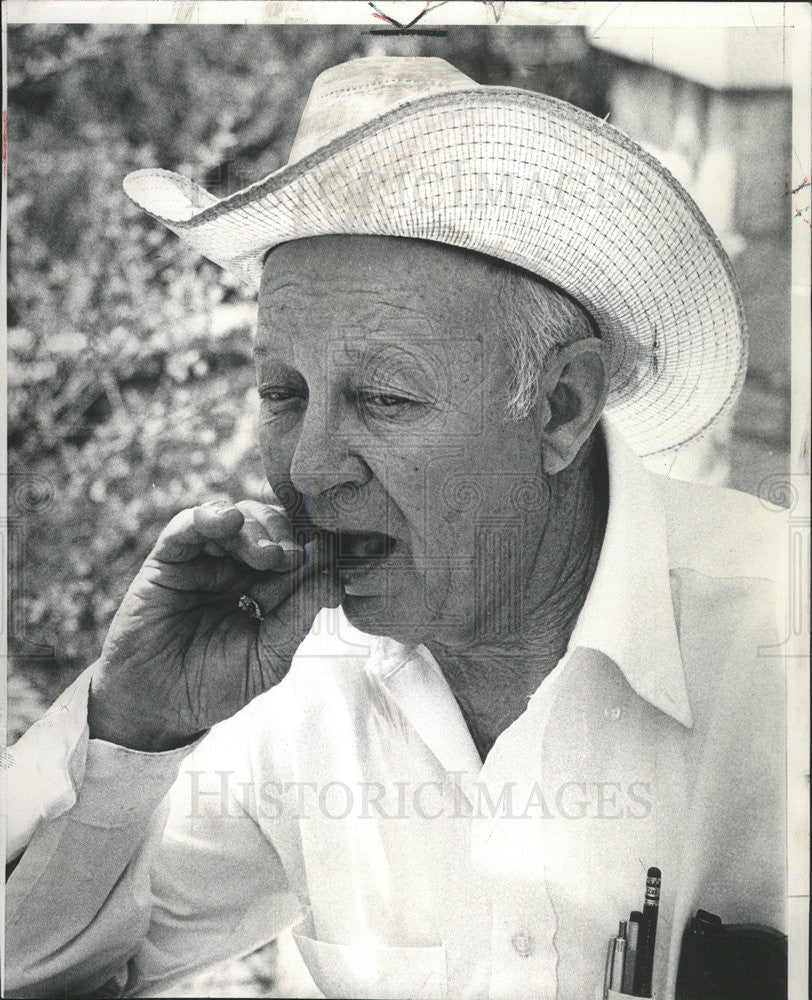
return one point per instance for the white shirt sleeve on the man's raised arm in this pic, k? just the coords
(133, 868)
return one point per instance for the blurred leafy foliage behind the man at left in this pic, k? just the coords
(130, 383)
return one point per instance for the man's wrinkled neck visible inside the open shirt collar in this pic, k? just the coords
(493, 677)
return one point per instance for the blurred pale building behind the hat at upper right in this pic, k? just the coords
(715, 106)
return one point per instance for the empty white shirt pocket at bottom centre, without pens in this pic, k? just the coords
(374, 971)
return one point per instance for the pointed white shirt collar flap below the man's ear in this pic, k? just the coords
(628, 614)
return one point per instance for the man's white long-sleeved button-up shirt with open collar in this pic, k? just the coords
(351, 800)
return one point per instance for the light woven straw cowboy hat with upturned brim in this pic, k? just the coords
(412, 147)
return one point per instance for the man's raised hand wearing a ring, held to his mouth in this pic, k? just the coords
(181, 654)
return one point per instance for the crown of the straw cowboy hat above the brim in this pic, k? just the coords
(360, 90)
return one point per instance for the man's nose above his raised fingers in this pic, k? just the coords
(323, 458)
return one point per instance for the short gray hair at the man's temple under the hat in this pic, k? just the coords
(536, 317)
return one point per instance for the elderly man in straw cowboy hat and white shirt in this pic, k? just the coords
(532, 668)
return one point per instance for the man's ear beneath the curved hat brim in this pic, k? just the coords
(572, 393)
